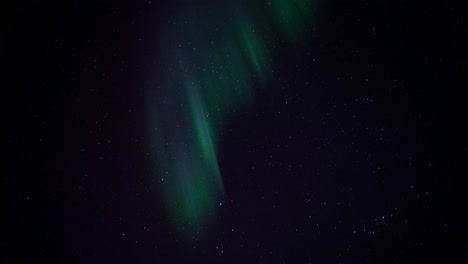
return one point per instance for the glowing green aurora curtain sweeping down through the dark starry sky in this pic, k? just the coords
(210, 64)
